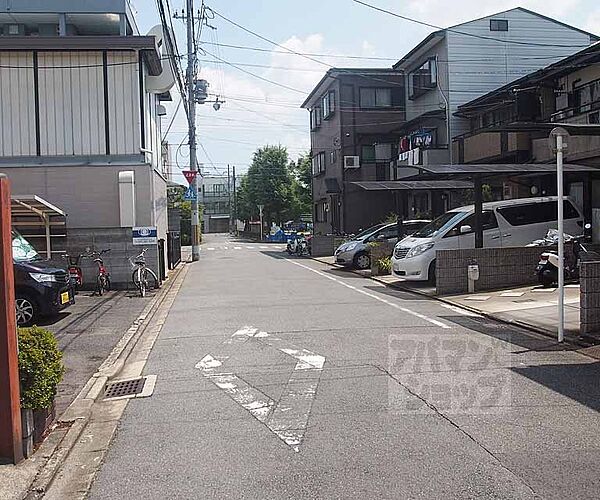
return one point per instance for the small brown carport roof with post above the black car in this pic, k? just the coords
(32, 212)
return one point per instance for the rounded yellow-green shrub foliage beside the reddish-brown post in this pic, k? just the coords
(40, 367)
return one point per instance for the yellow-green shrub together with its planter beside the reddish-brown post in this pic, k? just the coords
(40, 371)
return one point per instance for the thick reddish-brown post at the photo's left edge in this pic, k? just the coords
(11, 445)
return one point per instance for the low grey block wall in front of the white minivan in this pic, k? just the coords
(498, 268)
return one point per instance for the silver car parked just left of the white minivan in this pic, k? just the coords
(355, 252)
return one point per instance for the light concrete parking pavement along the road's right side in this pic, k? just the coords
(532, 307)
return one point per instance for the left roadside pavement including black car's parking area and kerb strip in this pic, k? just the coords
(89, 333)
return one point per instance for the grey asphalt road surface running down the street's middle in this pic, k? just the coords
(284, 378)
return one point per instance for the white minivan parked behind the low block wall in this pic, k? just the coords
(508, 223)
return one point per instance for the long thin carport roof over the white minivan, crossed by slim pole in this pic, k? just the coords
(503, 168)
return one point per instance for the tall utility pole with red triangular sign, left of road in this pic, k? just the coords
(191, 81)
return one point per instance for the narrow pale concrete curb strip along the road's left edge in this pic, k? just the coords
(77, 414)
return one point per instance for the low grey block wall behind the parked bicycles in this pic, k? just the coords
(119, 240)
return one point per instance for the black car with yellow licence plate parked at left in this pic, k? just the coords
(42, 288)
